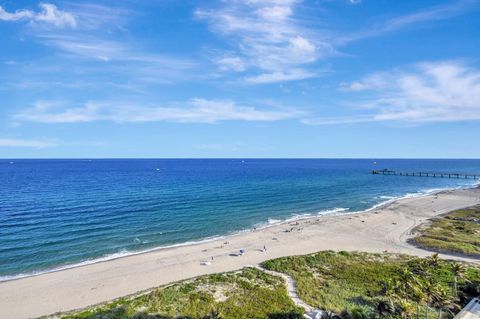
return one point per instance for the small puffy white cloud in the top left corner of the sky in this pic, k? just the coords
(48, 14)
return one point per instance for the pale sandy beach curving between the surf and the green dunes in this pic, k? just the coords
(385, 228)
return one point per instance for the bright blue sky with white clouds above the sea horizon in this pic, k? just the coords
(251, 78)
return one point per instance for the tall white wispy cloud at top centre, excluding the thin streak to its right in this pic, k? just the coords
(267, 39)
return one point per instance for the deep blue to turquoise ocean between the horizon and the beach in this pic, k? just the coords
(55, 213)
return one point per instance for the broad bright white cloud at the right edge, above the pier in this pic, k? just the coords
(447, 91)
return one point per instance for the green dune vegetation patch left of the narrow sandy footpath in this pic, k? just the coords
(249, 293)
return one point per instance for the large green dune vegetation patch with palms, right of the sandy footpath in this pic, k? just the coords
(362, 285)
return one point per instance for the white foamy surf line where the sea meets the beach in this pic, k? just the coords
(337, 211)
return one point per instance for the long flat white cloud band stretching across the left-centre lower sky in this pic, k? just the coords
(192, 111)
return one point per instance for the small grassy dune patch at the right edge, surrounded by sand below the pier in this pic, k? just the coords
(456, 232)
